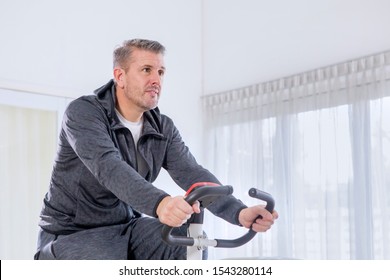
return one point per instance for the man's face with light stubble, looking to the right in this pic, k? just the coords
(143, 79)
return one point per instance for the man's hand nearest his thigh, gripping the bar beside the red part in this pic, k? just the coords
(175, 211)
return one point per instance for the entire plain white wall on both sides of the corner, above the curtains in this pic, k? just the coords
(64, 47)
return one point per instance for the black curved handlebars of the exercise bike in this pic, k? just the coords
(207, 195)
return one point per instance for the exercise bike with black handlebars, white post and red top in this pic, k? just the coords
(206, 193)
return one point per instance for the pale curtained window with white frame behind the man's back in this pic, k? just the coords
(28, 137)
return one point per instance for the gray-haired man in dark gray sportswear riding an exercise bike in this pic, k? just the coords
(111, 148)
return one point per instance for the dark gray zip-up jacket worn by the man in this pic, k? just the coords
(95, 181)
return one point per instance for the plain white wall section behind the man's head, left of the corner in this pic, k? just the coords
(65, 48)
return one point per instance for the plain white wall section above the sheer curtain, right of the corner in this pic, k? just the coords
(252, 41)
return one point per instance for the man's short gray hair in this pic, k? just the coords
(122, 54)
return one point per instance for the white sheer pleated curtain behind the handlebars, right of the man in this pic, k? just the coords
(319, 142)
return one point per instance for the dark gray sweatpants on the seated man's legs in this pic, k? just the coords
(140, 239)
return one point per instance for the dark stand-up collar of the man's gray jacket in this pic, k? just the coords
(106, 96)
